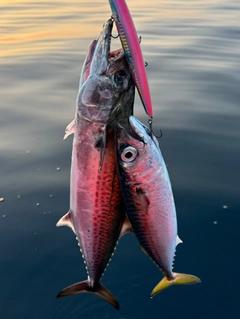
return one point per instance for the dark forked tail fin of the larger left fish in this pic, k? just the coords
(84, 286)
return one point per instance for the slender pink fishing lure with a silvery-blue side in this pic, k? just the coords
(130, 43)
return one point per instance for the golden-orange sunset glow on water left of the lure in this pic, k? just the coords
(30, 27)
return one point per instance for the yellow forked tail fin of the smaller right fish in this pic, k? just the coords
(179, 279)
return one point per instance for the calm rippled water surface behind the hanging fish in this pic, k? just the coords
(193, 52)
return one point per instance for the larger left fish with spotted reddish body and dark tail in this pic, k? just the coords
(96, 215)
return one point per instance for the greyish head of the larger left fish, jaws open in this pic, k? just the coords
(106, 89)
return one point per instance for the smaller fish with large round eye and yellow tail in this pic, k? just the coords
(148, 198)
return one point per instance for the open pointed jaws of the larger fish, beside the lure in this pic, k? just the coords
(102, 56)
